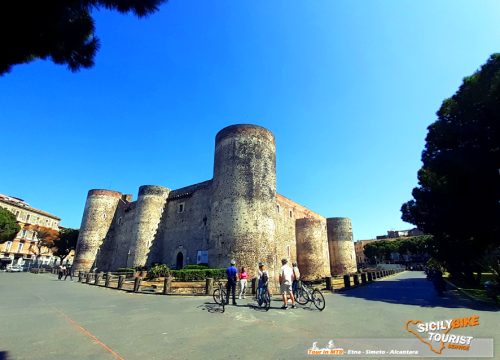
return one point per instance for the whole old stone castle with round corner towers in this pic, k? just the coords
(236, 215)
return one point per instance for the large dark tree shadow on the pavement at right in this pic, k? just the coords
(414, 289)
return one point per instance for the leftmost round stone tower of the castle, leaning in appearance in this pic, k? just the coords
(99, 211)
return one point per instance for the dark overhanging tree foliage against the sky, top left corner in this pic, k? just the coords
(62, 30)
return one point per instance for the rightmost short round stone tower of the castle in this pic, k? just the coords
(341, 246)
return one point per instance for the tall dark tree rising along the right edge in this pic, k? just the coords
(458, 197)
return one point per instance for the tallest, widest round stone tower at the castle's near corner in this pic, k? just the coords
(244, 198)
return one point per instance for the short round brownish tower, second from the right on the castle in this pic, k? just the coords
(312, 248)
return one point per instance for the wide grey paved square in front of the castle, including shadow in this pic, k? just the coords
(43, 318)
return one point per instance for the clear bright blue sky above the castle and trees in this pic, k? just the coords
(347, 87)
